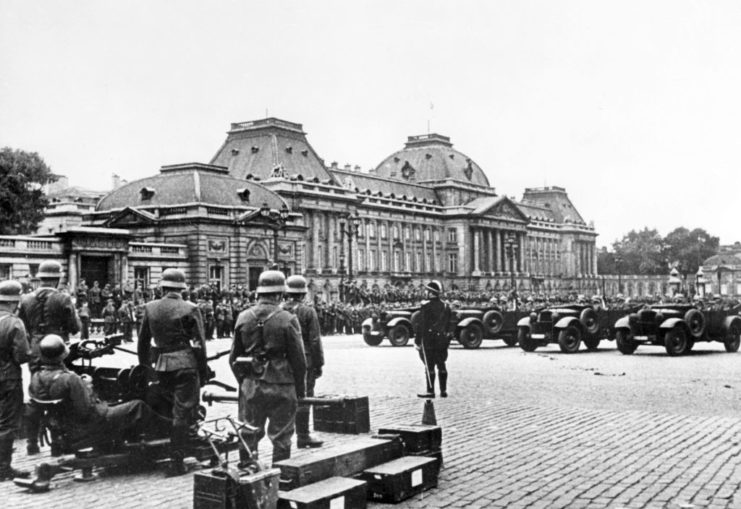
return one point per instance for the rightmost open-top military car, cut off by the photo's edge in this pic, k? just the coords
(677, 327)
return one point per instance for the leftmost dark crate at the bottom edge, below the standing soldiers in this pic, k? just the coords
(217, 490)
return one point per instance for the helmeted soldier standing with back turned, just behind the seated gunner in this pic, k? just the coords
(46, 311)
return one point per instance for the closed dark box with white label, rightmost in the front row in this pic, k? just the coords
(401, 478)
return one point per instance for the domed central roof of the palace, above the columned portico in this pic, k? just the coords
(431, 158)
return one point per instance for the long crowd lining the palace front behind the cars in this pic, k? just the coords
(121, 307)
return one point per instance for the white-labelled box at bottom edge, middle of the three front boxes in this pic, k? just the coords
(332, 493)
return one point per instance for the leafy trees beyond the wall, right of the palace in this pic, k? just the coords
(647, 252)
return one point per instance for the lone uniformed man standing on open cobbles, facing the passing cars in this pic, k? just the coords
(432, 339)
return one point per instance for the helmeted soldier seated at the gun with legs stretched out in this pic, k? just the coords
(84, 419)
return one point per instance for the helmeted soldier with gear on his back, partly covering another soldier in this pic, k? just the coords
(268, 360)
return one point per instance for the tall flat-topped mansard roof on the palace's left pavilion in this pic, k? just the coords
(267, 148)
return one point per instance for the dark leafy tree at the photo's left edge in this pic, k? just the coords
(22, 200)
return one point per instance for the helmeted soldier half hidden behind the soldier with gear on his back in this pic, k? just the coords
(309, 322)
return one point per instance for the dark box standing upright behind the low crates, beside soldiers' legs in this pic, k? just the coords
(343, 414)
